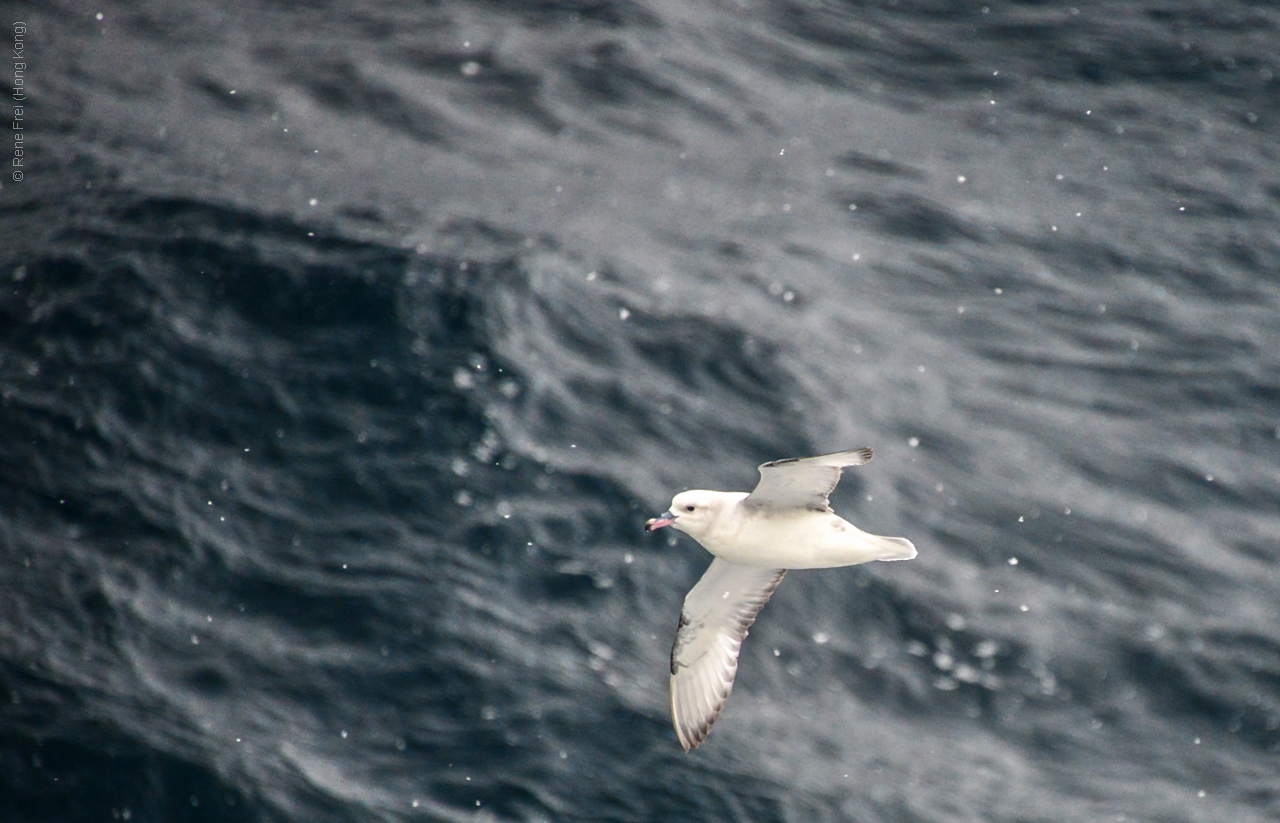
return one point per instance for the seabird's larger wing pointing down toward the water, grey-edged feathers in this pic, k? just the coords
(714, 624)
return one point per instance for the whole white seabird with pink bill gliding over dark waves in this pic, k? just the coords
(785, 523)
